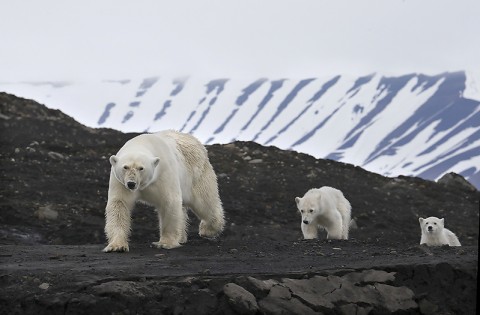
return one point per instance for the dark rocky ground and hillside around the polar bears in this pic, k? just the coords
(54, 181)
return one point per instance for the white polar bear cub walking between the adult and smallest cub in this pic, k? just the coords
(324, 207)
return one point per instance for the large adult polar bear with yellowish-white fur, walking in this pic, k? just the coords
(168, 170)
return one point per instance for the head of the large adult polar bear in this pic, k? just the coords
(134, 171)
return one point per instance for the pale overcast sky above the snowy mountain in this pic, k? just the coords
(115, 39)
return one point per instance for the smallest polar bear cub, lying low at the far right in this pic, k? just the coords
(435, 234)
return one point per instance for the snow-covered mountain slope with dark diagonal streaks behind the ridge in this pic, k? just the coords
(405, 125)
